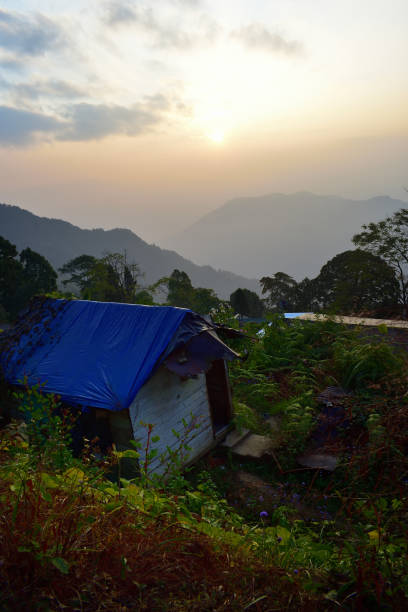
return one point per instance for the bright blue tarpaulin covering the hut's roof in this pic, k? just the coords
(90, 353)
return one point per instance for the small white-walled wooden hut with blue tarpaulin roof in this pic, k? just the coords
(124, 367)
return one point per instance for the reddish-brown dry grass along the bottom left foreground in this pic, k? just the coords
(120, 559)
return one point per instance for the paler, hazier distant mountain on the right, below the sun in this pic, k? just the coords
(296, 233)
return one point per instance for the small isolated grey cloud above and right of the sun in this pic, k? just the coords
(257, 37)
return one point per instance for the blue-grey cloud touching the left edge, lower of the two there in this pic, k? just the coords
(20, 127)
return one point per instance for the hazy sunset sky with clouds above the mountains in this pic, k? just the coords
(150, 114)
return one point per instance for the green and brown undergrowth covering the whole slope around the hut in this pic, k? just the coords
(308, 540)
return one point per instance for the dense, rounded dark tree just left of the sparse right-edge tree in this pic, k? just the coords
(356, 280)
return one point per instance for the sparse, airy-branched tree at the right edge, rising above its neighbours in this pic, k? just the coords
(388, 239)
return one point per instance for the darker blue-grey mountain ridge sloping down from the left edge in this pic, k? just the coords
(60, 241)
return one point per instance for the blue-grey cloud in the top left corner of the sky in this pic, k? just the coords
(28, 35)
